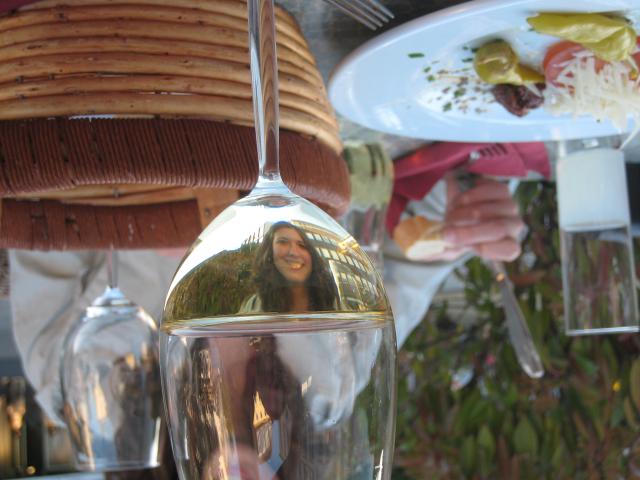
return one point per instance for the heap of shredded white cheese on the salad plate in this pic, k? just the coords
(607, 94)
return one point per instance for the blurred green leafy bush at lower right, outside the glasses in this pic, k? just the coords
(577, 422)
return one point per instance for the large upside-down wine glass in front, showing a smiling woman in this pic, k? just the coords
(277, 342)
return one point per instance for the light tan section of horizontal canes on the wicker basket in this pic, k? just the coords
(152, 58)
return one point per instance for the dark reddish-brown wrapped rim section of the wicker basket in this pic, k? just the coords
(157, 167)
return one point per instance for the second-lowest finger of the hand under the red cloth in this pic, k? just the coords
(488, 231)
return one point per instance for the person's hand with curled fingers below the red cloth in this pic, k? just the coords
(483, 220)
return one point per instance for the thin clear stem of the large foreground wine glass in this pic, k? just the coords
(264, 84)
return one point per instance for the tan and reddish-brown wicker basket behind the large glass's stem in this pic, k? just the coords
(128, 123)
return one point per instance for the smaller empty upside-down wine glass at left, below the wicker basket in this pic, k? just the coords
(111, 384)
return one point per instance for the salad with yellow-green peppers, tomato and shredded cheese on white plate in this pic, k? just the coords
(591, 70)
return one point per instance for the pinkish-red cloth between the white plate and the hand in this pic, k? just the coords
(417, 173)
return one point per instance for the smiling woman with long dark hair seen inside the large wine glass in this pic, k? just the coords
(290, 276)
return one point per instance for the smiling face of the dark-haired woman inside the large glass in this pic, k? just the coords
(290, 255)
